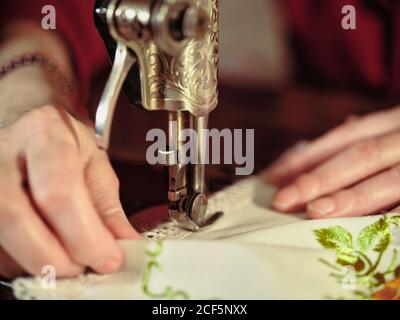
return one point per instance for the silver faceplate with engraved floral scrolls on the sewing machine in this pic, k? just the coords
(188, 81)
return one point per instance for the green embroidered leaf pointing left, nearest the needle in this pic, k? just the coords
(335, 238)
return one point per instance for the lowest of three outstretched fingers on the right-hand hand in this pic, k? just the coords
(371, 196)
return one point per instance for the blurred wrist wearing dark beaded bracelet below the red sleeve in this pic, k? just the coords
(25, 84)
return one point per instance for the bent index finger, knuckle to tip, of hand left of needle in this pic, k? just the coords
(56, 179)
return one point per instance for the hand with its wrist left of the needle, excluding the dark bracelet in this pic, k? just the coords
(59, 197)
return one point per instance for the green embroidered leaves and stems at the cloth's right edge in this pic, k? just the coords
(369, 273)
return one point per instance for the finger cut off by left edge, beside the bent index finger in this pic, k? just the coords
(27, 240)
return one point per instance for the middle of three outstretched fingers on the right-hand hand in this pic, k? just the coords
(354, 164)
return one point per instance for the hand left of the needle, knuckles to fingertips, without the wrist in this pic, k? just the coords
(59, 199)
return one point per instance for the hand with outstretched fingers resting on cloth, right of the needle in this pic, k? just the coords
(353, 170)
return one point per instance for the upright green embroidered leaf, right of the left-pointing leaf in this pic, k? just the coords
(377, 234)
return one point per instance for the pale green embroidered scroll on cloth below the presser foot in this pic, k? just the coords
(153, 264)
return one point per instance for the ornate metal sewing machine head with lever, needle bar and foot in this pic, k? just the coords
(165, 57)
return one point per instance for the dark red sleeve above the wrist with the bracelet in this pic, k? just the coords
(75, 23)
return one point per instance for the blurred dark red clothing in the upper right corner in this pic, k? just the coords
(366, 58)
